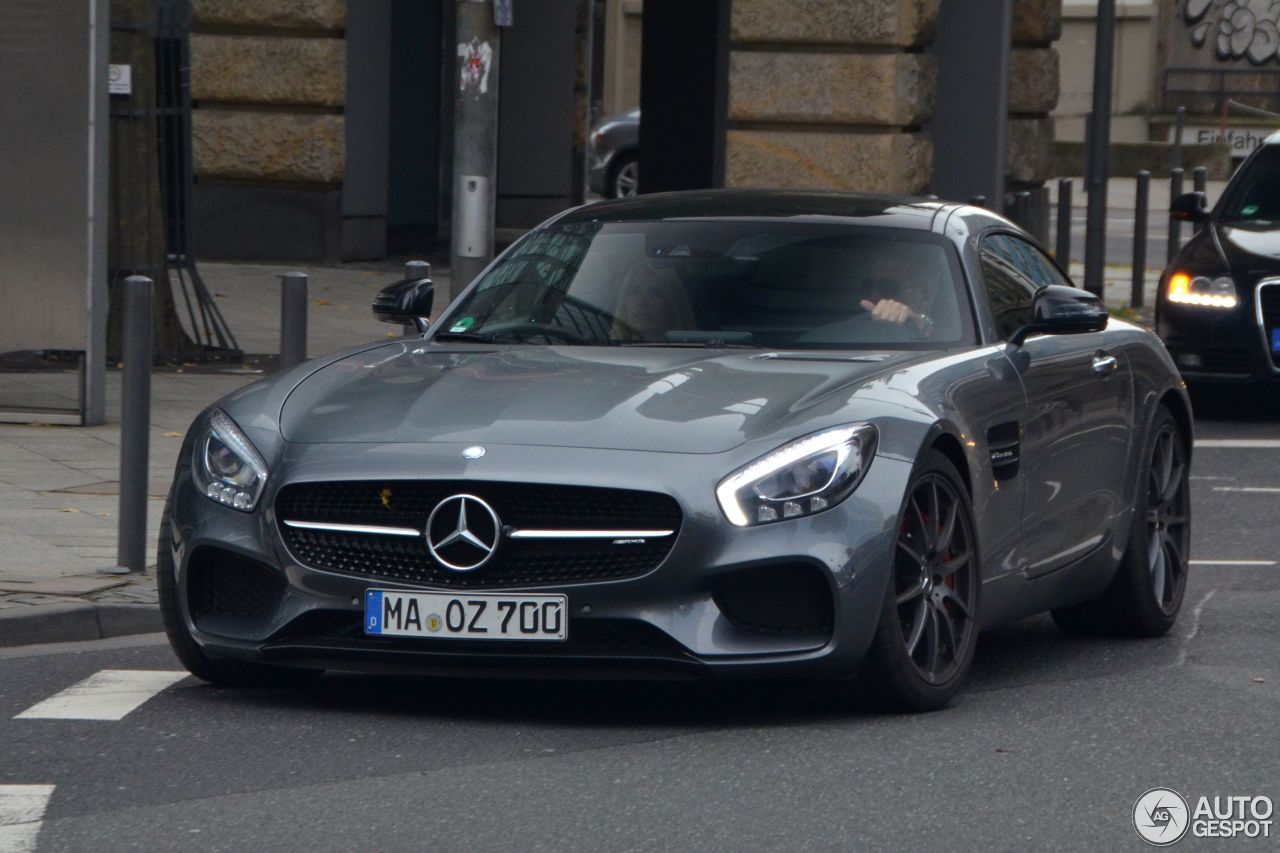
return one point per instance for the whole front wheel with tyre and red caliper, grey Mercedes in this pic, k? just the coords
(929, 626)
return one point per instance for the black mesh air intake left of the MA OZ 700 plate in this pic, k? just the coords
(221, 583)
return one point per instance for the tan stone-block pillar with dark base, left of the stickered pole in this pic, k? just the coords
(269, 121)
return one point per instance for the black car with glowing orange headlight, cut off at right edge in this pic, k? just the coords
(1219, 303)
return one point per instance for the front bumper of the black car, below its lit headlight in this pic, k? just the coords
(1226, 346)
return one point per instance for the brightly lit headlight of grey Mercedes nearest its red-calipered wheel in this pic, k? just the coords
(802, 478)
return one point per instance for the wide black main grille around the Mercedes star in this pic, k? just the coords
(518, 563)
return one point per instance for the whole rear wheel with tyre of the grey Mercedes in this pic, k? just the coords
(1148, 592)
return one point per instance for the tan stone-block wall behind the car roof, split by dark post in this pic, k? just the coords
(839, 94)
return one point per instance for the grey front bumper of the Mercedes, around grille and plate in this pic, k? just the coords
(670, 623)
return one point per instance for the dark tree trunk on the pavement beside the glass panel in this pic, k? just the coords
(136, 221)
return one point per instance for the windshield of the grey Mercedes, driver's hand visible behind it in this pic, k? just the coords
(720, 284)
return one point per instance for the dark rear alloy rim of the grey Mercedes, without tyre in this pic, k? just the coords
(1168, 531)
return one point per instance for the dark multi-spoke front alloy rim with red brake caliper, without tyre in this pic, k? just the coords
(935, 580)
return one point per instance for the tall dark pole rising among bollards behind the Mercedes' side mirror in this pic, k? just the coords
(1099, 154)
